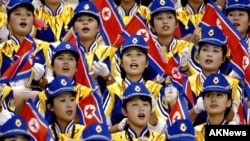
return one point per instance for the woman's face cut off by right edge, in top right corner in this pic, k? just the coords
(240, 19)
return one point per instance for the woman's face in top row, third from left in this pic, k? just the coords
(164, 24)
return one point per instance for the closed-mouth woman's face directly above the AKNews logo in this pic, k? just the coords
(216, 103)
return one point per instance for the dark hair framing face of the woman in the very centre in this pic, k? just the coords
(145, 73)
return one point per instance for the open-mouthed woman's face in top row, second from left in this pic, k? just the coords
(87, 27)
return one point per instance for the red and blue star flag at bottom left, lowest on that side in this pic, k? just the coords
(37, 126)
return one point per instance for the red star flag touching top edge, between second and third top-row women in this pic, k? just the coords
(111, 20)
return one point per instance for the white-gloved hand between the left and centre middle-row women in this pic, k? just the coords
(100, 69)
